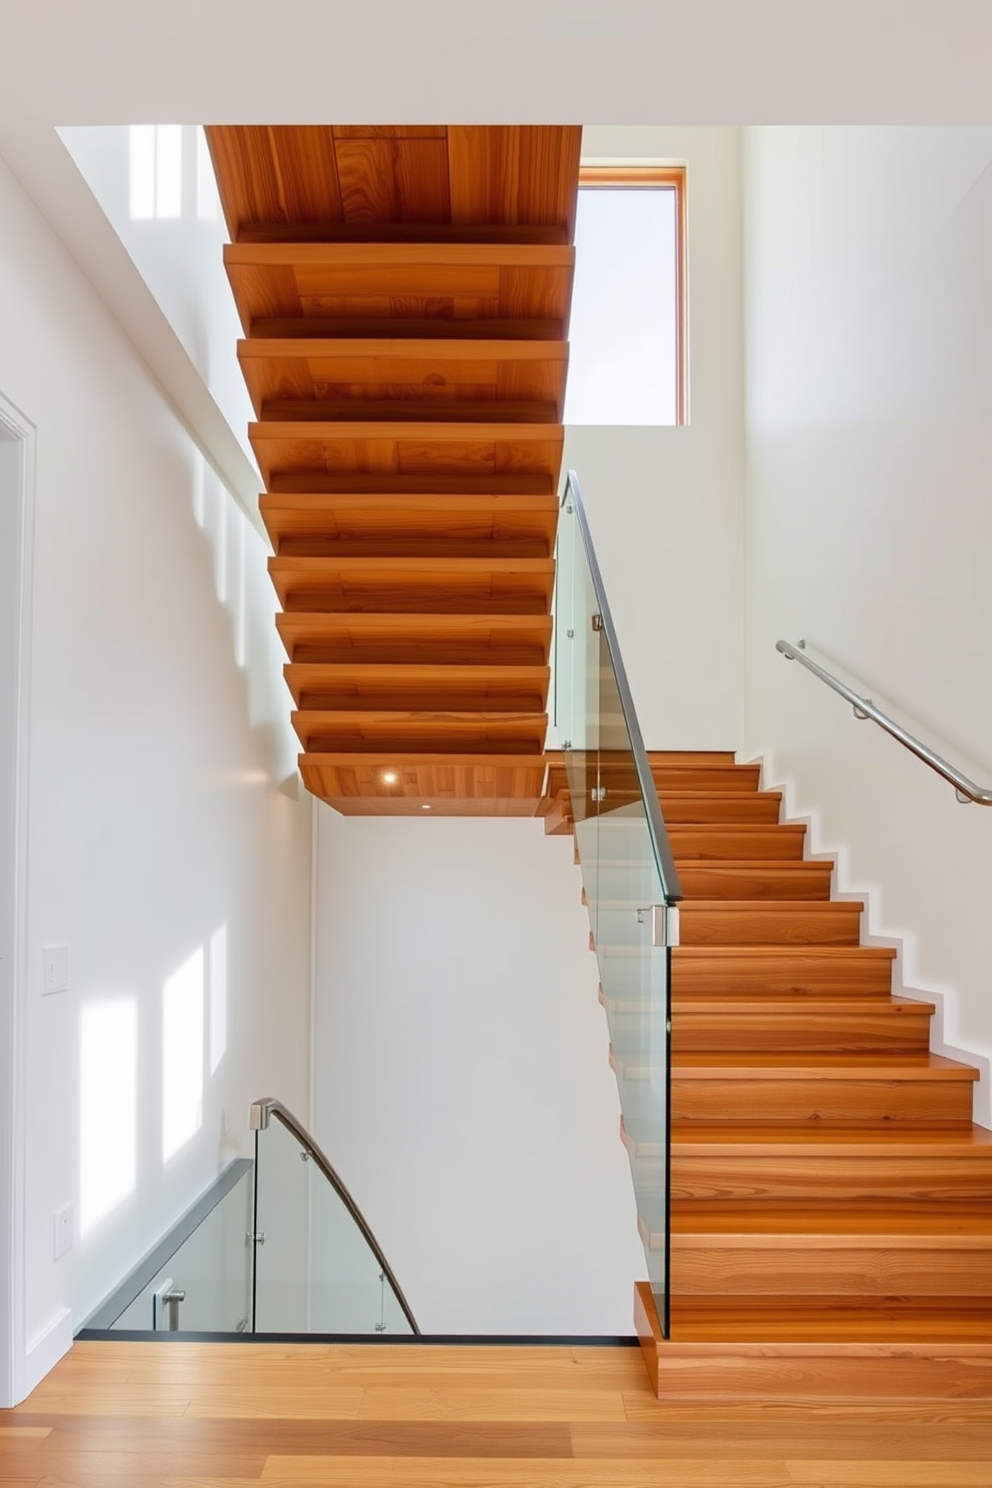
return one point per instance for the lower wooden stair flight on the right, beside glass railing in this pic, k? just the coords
(831, 1197)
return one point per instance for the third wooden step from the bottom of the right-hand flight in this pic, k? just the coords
(779, 1163)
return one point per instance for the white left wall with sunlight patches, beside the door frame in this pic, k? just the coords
(164, 815)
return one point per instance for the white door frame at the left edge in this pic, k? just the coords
(14, 1005)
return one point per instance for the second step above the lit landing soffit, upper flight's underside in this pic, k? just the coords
(326, 687)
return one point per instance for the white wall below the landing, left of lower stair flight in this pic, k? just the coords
(462, 1080)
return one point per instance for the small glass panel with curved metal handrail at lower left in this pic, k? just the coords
(318, 1266)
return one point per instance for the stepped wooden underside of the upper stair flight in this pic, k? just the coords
(405, 298)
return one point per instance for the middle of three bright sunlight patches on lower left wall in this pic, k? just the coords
(184, 1056)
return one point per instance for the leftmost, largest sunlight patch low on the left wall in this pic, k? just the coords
(108, 1108)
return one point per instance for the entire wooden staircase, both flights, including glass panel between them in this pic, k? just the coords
(814, 1199)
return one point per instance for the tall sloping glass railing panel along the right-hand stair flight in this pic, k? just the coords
(628, 871)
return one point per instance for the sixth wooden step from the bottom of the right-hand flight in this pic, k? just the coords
(865, 971)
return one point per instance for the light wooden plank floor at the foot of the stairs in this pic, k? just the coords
(221, 1416)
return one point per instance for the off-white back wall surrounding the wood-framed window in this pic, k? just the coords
(666, 505)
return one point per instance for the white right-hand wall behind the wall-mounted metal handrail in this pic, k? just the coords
(869, 525)
